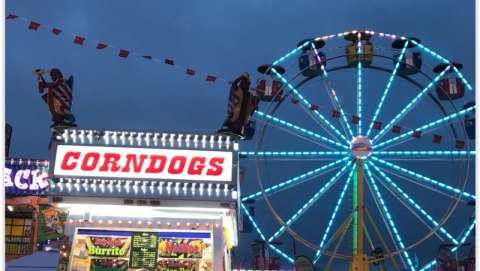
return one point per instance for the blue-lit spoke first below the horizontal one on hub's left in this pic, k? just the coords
(296, 180)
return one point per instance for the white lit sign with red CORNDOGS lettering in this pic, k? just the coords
(161, 162)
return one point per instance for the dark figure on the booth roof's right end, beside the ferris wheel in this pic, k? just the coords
(239, 107)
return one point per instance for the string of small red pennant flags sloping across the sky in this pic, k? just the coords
(208, 77)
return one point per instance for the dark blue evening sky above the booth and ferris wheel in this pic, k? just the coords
(224, 38)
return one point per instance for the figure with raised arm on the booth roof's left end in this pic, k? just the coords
(58, 96)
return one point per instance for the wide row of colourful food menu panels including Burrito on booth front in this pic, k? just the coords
(141, 250)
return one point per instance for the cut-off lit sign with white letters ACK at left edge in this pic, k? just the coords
(25, 178)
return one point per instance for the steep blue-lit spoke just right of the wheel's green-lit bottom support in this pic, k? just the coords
(386, 214)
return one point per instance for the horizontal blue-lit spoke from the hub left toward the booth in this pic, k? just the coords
(300, 155)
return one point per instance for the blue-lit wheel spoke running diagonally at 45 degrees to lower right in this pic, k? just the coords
(412, 203)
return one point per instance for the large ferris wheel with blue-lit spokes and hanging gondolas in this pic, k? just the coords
(363, 153)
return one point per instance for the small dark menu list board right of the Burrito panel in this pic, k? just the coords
(144, 250)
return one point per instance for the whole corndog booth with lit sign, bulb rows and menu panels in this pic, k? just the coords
(144, 200)
